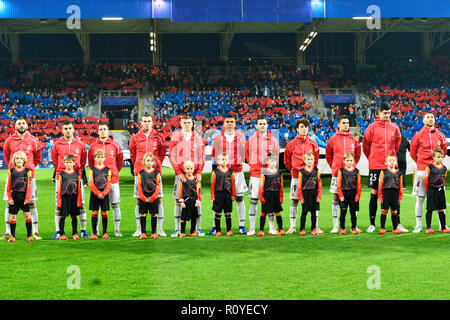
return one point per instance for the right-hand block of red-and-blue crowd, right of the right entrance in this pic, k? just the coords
(412, 88)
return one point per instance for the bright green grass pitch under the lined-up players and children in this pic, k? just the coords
(328, 266)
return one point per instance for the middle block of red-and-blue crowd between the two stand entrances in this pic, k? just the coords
(246, 94)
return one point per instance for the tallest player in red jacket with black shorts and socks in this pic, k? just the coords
(381, 139)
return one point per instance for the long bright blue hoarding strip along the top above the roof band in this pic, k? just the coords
(221, 11)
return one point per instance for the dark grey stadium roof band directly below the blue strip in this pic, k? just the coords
(8, 26)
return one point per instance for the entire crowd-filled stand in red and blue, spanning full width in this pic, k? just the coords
(47, 95)
